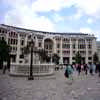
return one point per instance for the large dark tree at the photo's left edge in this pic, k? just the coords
(4, 53)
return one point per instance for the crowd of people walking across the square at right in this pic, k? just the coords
(82, 68)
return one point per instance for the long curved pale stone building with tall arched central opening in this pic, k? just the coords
(66, 45)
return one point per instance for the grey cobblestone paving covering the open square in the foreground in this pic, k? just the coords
(49, 88)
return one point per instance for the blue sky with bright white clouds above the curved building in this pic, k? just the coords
(52, 15)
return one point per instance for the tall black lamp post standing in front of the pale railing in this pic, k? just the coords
(31, 63)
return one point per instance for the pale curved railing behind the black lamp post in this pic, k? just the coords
(40, 69)
